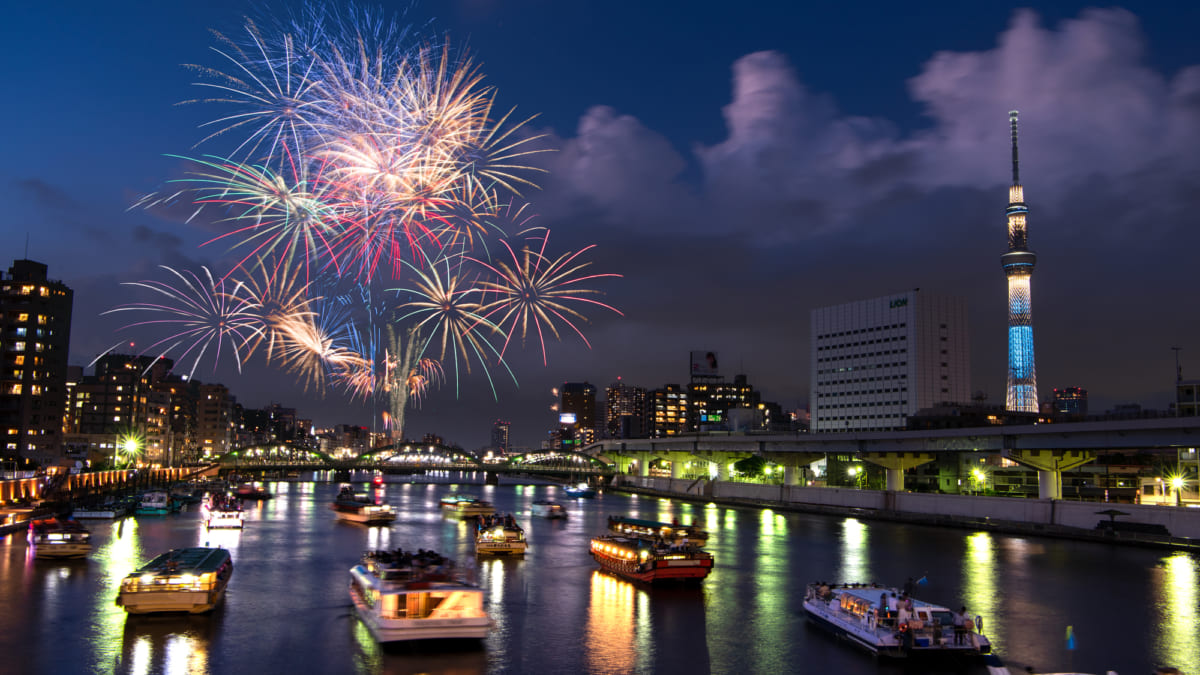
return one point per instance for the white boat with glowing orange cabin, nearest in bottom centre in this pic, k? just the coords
(404, 598)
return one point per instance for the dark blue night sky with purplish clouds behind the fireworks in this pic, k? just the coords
(737, 164)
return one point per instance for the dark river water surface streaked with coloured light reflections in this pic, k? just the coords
(287, 610)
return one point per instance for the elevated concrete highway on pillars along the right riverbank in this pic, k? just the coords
(1048, 449)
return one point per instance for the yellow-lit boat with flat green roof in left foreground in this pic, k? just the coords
(191, 581)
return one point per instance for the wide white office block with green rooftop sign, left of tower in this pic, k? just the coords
(878, 362)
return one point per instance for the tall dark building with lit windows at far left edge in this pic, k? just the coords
(35, 337)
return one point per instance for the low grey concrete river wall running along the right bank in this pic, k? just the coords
(1179, 522)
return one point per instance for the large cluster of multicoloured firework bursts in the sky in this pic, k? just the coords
(362, 198)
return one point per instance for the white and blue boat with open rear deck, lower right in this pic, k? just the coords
(857, 613)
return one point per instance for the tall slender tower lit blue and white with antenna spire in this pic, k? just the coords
(1019, 261)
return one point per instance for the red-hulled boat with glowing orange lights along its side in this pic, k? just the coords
(644, 560)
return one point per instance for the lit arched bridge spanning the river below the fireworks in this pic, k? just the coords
(410, 458)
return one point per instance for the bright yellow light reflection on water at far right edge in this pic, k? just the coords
(1177, 642)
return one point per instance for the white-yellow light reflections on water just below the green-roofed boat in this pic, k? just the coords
(167, 646)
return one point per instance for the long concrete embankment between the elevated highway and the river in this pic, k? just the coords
(1135, 524)
